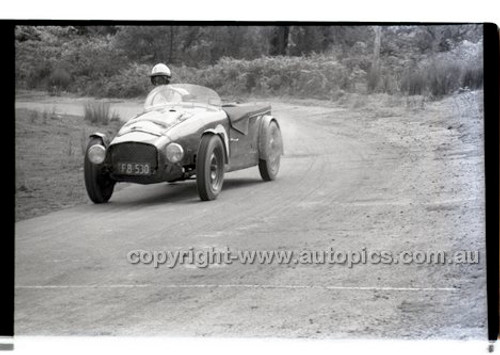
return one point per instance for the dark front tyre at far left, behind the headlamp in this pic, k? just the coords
(98, 183)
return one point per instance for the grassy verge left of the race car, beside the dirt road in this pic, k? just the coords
(49, 160)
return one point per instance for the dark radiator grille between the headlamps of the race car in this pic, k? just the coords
(134, 153)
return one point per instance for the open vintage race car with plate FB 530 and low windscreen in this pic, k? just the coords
(184, 132)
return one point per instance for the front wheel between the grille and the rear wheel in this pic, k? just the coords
(210, 167)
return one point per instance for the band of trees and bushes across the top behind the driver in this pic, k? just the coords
(306, 61)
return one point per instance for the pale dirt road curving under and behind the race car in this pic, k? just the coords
(398, 181)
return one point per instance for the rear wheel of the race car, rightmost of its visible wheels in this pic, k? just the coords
(272, 149)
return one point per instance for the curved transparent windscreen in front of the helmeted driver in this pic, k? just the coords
(181, 94)
